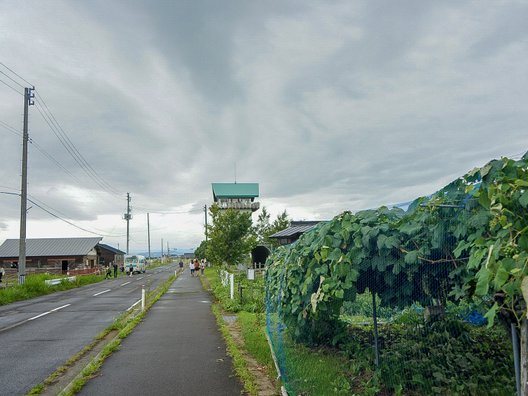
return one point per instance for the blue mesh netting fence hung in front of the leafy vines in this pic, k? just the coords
(415, 302)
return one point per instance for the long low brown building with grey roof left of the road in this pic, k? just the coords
(60, 253)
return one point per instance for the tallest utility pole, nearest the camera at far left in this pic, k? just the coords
(28, 96)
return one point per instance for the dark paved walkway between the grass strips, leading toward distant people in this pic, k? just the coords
(176, 350)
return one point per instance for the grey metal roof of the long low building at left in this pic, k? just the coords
(50, 247)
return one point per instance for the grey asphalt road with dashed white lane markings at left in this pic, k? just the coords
(37, 336)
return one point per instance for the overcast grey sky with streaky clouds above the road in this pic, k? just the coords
(329, 106)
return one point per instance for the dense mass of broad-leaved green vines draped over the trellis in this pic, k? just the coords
(468, 239)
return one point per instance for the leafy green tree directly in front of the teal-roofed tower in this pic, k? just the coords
(231, 236)
